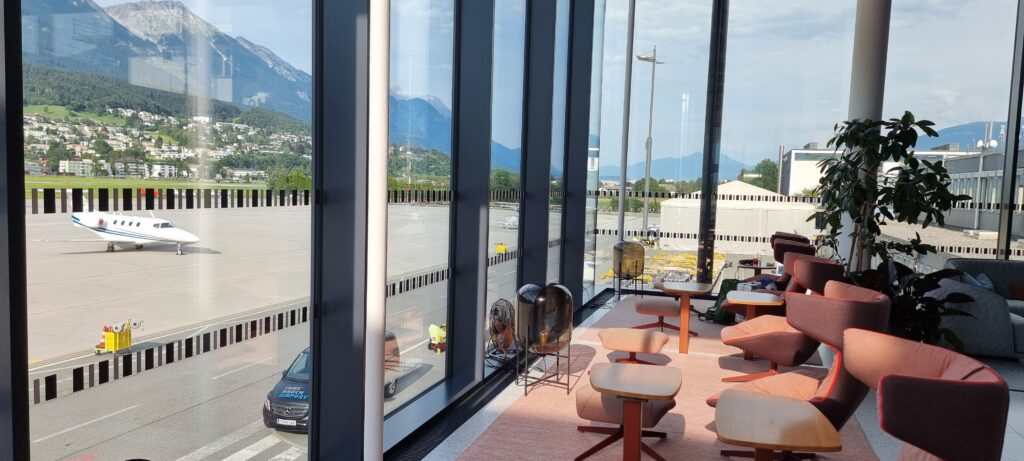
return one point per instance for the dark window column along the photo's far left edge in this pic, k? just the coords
(14, 323)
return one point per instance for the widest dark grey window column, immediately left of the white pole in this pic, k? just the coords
(338, 292)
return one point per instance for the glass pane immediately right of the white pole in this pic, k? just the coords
(419, 184)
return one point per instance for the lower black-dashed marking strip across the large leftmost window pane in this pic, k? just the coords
(67, 383)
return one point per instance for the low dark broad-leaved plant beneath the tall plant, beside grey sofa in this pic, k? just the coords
(915, 314)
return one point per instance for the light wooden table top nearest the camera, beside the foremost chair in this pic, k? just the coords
(774, 423)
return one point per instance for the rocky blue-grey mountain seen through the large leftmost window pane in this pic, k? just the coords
(162, 46)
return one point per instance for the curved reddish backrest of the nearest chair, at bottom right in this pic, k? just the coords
(921, 387)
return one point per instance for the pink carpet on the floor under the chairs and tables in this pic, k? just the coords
(542, 426)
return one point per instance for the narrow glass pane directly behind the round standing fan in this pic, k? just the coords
(506, 156)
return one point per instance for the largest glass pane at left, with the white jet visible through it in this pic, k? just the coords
(168, 165)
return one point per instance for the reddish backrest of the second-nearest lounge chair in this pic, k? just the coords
(825, 319)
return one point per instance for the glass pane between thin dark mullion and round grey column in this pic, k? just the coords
(779, 111)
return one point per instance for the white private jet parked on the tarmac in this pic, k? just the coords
(138, 231)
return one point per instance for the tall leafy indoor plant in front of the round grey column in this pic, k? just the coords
(857, 193)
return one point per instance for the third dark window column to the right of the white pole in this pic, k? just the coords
(578, 128)
